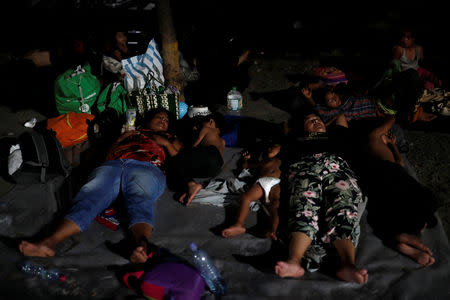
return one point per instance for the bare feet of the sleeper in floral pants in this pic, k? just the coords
(348, 273)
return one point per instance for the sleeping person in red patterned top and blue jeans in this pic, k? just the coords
(133, 166)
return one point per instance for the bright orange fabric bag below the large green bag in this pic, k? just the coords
(71, 128)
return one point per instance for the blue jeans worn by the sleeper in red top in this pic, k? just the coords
(141, 183)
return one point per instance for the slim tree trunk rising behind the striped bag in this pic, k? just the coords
(171, 63)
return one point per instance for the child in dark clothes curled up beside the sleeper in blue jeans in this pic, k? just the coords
(204, 159)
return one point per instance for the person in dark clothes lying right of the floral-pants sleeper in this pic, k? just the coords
(402, 209)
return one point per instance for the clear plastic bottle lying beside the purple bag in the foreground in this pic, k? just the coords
(208, 270)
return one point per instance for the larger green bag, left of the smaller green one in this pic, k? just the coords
(76, 90)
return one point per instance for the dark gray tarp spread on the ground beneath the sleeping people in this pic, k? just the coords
(245, 261)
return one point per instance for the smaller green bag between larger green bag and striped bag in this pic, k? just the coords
(114, 95)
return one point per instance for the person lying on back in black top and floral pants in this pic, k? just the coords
(321, 189)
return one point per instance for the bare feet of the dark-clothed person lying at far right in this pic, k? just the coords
(412, 246)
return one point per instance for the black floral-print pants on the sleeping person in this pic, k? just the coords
(324, 202)
